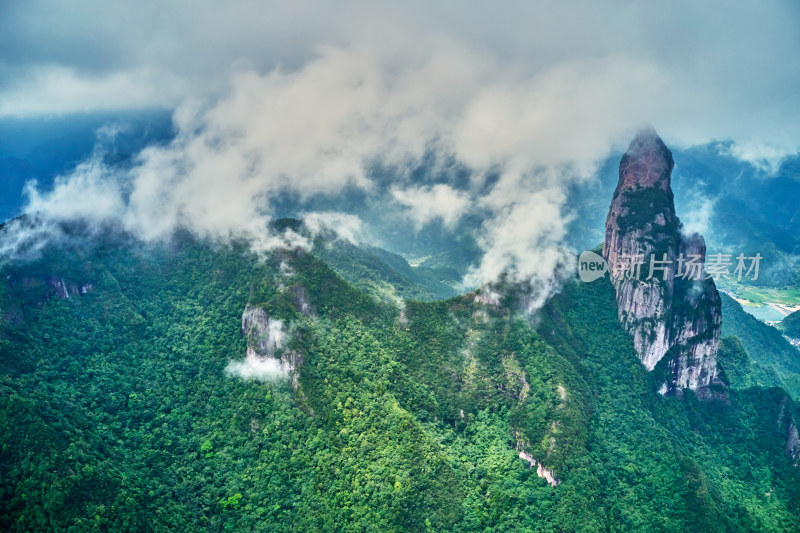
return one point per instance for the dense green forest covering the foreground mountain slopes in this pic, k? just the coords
(116, 412)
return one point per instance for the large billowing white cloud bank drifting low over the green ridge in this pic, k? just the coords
(313, 132)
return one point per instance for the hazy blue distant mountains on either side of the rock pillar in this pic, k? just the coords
(738, 206)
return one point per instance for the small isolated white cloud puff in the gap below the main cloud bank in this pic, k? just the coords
(427, 203)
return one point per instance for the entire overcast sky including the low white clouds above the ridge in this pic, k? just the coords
(304, 98)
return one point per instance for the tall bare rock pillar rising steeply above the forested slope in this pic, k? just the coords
(663, 299)
